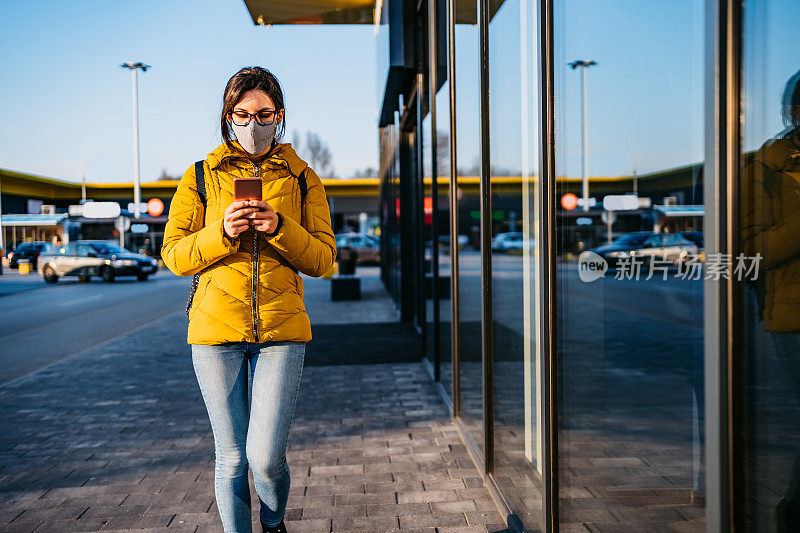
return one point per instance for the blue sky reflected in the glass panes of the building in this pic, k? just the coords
(645, 98)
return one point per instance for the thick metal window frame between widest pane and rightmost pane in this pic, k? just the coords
(722, 318)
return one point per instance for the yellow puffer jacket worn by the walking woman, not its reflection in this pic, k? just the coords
(242, 296)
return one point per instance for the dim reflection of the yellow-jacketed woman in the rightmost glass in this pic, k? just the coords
(771, 227)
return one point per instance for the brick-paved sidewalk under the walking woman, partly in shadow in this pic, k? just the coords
(117, 439)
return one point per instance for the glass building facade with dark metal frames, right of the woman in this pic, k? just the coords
(587, 212)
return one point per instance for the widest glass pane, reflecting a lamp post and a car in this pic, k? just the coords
(629, 128)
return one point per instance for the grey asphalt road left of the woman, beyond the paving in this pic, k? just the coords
(43, 323)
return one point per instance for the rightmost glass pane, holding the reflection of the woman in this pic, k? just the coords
(770, 216)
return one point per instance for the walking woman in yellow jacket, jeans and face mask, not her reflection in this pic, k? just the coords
(248, 306)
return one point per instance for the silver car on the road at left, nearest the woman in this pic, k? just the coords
(85, 259)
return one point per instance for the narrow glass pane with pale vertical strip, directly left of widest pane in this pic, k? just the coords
(513, 156)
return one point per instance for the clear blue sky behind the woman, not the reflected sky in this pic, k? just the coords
(66, 102)
